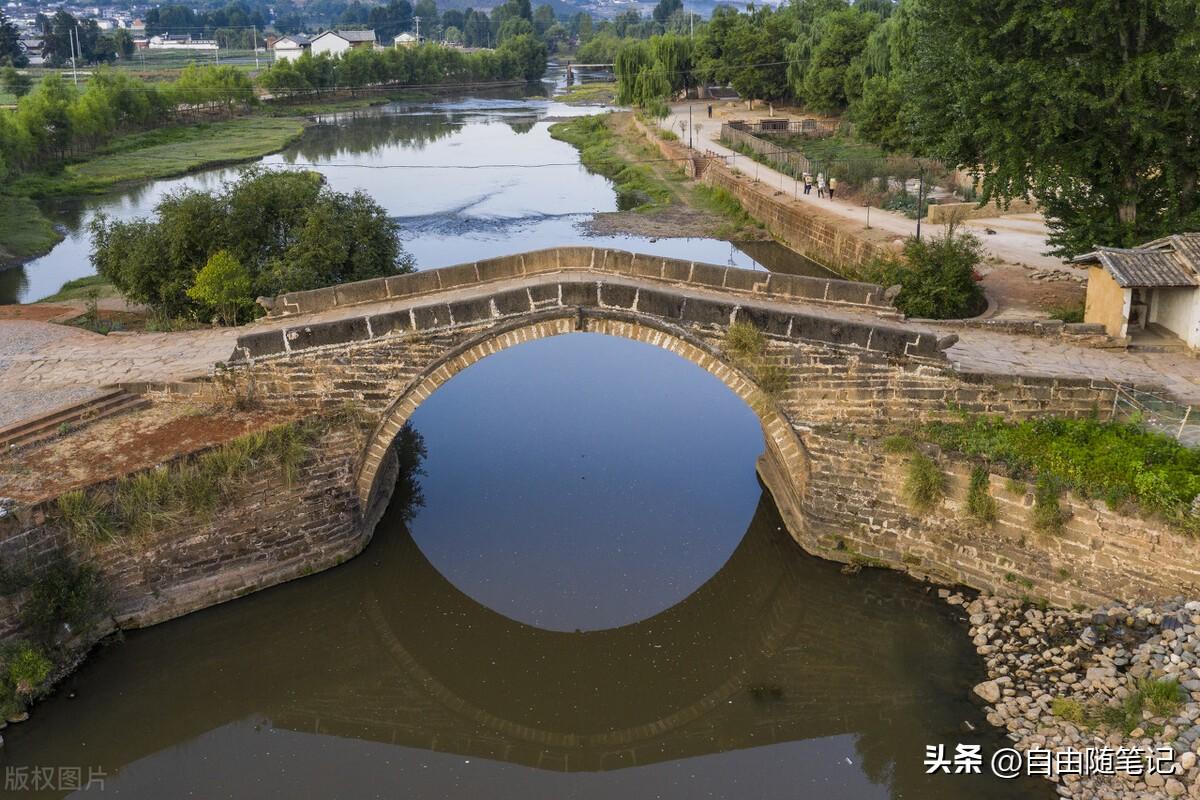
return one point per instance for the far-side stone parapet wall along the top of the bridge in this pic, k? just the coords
(775, 286)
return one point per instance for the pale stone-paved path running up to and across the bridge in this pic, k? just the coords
(44, 365)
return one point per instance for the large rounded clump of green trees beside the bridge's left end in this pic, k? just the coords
(266, 233)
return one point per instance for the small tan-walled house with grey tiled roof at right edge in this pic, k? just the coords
(1150, 294)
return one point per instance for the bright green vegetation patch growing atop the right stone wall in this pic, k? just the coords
(1117, 462)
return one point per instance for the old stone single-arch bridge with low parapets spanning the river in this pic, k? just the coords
(853, 371)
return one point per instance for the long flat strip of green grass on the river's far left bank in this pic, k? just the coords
(169, 152)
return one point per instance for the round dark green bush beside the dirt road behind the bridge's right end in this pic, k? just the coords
(937, 279)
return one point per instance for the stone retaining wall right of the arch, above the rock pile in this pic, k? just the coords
(854, 512)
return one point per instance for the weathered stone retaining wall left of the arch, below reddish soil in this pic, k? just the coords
(269, 534)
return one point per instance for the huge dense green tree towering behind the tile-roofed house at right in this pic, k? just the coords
(1093, 109)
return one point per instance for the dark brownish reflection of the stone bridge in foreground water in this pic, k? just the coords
(777, 647)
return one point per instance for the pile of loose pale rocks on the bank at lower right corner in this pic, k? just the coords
(1061, 679)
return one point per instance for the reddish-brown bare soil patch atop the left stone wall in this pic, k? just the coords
(124, 444)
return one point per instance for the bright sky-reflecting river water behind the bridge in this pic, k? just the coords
(465, 179)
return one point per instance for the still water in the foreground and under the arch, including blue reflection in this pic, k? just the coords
(597, 600)
